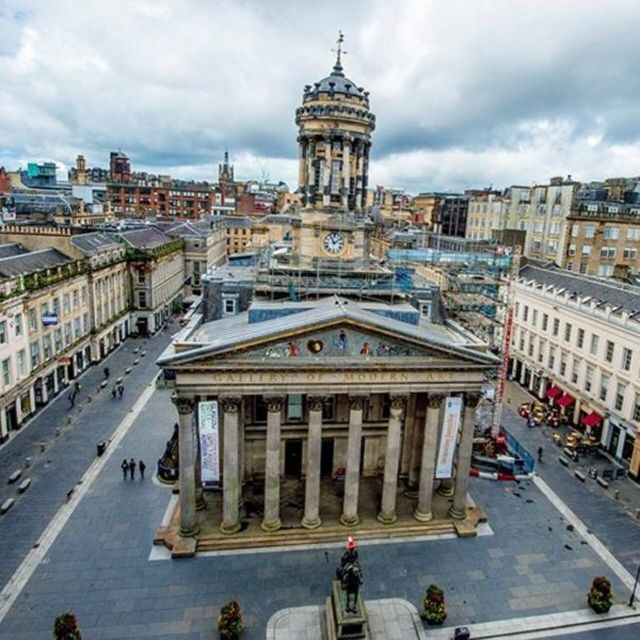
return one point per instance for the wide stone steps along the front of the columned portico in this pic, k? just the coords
(337, 533)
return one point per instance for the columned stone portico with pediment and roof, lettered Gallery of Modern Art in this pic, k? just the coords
(317, 394)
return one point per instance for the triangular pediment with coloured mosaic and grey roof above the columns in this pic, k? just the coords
(340, 335)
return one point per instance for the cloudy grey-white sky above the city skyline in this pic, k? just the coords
(467, 93)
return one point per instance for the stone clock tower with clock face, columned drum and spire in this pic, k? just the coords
(334, 140)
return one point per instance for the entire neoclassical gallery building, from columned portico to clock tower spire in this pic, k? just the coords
(304, 415)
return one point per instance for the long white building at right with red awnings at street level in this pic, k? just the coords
(576, 344)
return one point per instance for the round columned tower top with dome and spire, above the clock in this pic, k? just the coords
(334, 138)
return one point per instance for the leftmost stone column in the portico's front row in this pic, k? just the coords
(186, 448)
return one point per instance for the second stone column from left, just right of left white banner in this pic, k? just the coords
(230, 472)
